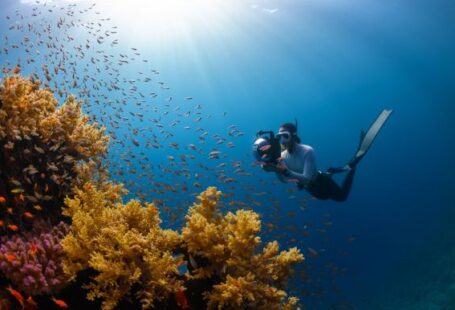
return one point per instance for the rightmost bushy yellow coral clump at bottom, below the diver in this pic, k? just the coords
(229, 244)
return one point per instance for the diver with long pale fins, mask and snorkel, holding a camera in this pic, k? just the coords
(292, 161)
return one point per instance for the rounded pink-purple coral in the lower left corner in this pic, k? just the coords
(33, 264)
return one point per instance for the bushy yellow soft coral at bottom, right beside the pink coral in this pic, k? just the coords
(123, 243)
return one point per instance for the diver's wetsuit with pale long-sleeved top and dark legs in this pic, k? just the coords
(302, 167)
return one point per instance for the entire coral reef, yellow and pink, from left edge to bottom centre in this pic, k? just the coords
(51, 157)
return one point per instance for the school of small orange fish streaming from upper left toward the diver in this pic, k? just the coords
(161, 146)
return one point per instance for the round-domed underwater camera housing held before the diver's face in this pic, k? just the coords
(267, 147)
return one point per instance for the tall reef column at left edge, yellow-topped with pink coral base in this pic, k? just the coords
(46, 150)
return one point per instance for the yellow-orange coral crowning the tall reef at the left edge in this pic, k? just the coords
(27, 109)
